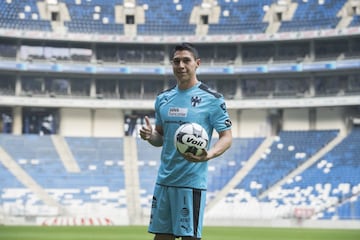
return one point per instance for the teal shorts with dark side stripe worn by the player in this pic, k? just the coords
(177, 211)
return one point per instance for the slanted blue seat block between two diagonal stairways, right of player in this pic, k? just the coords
(292, 149)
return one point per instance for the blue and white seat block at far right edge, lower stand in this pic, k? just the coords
(333, 181)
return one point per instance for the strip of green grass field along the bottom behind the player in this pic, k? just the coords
(140, 233)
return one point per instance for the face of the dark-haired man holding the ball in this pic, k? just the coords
(184, 65)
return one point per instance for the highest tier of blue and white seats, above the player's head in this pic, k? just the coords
(175, 18)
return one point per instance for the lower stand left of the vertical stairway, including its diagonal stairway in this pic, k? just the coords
(98, 177)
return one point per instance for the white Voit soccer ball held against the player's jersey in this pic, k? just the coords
(191, 137)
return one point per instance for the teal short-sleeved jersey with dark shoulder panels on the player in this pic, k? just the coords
(174, 107)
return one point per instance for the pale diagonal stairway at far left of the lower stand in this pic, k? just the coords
(28, 181)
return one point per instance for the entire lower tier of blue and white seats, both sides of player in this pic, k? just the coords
(329, 187)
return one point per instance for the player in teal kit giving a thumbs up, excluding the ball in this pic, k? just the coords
(180, 191)
